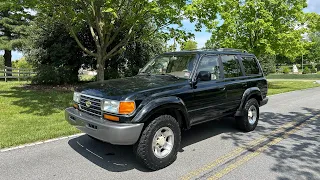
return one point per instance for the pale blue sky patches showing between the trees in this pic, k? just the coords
(203, 36)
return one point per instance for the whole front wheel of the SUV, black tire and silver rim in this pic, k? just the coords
(159, 143)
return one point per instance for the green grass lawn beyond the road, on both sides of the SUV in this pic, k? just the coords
(29, 115)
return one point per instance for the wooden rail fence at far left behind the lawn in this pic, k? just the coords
(16, 73)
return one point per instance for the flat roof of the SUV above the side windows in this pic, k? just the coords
(213, 51)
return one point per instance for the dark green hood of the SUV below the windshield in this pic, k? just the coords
(117, 88)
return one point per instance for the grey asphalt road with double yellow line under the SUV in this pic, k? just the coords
(285, 145)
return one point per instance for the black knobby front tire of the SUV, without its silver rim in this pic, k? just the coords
(143, 148)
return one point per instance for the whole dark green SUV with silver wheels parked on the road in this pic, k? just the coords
(174, 91)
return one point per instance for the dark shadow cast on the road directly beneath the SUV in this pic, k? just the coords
(121, 158)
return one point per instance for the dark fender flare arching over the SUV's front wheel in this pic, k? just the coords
(163, 103)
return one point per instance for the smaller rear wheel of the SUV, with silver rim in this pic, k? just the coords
(249, 120)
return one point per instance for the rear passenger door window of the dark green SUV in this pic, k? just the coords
(231, 67)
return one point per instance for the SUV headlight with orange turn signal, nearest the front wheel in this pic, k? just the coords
(117, 107)
